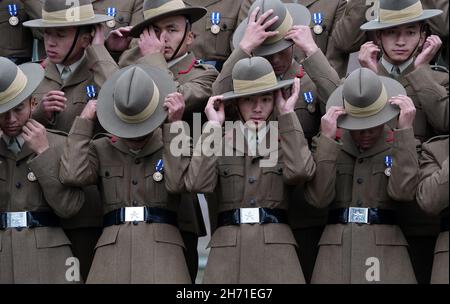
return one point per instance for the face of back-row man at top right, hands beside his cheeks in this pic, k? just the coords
(400, 42)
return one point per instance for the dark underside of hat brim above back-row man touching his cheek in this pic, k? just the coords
(194, 14)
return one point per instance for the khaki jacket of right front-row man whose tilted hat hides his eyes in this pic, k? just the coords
(346, 177)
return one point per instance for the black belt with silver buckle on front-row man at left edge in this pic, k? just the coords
(11, 220)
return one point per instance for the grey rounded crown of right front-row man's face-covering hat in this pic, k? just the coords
(362, 88)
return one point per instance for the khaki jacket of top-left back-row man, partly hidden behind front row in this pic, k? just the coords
(97, 66)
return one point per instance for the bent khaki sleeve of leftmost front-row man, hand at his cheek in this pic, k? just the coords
(66, 201)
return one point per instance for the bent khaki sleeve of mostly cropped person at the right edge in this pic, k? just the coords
(432, 193)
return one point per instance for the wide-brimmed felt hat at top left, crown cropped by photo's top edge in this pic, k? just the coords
(61, 13)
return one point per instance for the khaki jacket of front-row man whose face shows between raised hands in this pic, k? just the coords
(254, 253)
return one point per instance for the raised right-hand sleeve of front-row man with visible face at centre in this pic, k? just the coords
(299, 165)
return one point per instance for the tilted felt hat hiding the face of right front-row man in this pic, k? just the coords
(365, 95)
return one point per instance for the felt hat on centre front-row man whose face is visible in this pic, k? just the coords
(254, 76)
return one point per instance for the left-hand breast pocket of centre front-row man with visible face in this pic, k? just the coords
(231, 181)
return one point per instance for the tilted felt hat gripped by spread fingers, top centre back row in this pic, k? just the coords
(289, 14)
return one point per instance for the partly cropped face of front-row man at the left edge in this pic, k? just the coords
(12, 122)
